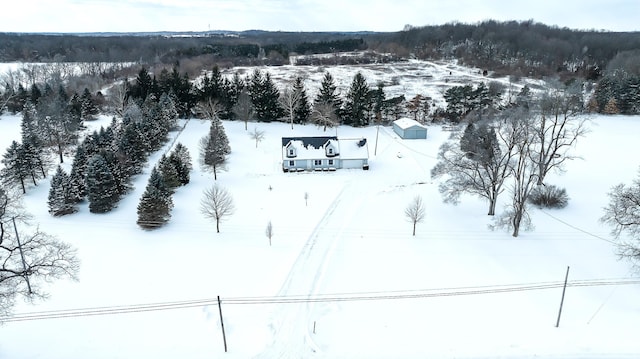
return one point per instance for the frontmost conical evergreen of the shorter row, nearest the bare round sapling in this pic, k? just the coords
(156, 203)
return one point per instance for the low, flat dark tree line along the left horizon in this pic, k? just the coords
(239, 49)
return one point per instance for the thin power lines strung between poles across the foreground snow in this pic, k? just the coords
(320, 298)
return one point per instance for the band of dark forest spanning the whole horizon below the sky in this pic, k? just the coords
(523, 48)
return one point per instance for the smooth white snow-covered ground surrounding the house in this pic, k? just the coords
(343, 277)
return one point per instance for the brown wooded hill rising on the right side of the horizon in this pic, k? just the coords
(525, 48)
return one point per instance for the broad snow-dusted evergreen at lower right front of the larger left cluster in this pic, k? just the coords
(102, 188)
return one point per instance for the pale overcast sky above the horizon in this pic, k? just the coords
(306, 15)
